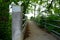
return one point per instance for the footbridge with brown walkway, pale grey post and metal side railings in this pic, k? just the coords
(28, 30)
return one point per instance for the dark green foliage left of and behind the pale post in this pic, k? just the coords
(6, 19)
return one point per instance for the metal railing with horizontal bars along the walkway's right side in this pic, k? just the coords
(57, 34)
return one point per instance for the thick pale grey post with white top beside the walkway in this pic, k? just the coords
(16, 22)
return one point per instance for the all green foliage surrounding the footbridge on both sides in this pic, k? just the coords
(52, 9)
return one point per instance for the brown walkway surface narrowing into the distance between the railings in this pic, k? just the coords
(37, 34)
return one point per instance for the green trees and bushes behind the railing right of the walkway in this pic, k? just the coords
(50, 20)
